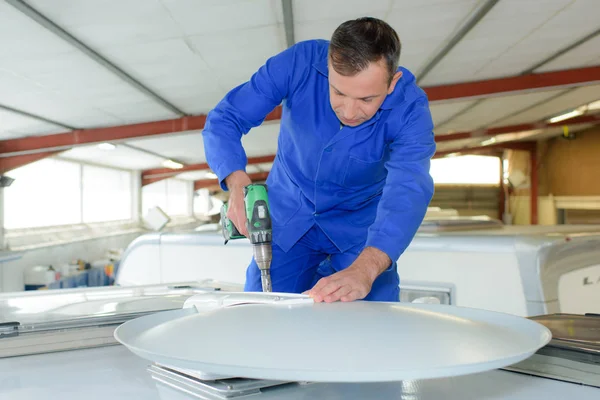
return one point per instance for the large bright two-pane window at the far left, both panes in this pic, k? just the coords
(54, 192)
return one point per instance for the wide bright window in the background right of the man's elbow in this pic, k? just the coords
(470, 170)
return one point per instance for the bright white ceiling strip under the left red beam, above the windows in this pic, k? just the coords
(121, 157)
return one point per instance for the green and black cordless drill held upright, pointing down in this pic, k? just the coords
(258, 223)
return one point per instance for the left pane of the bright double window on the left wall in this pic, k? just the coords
(44, 193)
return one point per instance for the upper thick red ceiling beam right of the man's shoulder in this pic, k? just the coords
(514, 84)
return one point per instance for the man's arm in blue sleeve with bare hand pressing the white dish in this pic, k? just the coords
(406, 196)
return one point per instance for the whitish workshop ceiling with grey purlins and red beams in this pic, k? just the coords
(68, 66)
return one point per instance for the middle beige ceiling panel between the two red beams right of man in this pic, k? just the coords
(494, 109)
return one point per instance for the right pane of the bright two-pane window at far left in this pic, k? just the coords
(107, 194)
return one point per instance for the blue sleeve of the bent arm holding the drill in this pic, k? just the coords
(243, 108)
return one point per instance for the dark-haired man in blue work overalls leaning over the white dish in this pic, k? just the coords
(350, 183)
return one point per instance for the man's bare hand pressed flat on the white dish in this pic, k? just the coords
(354, 282)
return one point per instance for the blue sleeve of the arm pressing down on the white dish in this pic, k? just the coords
(409, 186)
